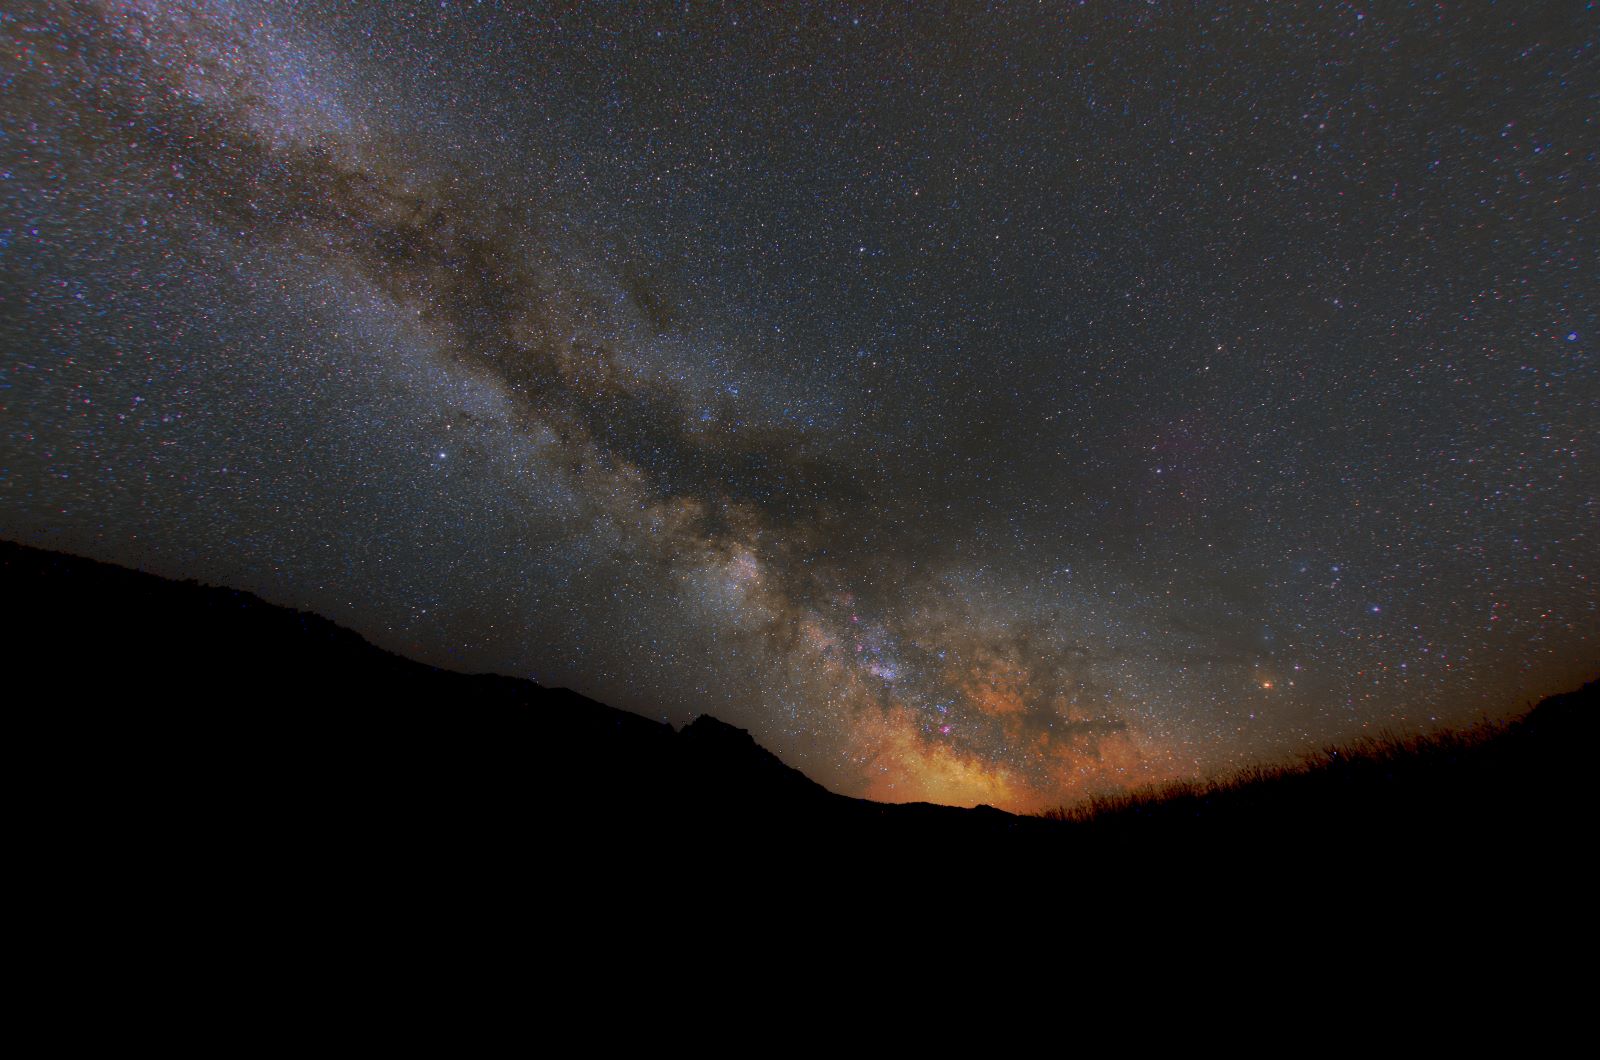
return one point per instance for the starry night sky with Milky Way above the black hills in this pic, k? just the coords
(978, 403)
